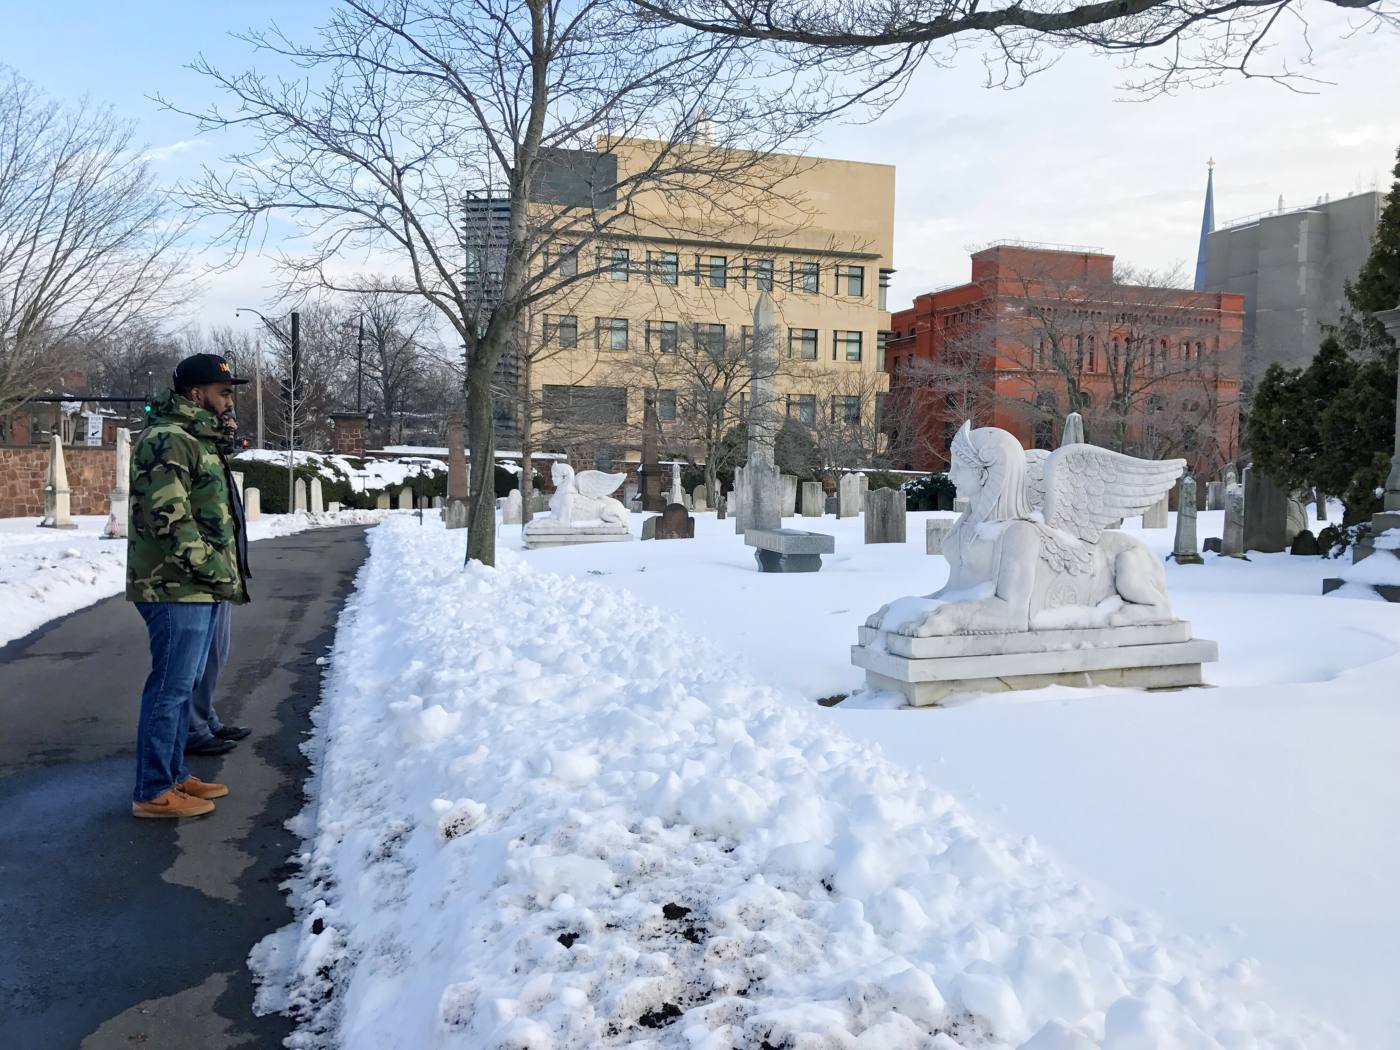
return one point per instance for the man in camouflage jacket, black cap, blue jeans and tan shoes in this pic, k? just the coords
(185, 561)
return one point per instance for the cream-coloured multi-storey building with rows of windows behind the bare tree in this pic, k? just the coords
(689, 267)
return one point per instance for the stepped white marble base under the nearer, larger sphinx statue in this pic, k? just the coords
(926, 671)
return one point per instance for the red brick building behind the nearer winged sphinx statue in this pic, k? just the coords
(1041, 332)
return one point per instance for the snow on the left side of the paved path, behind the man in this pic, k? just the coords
(50, 573)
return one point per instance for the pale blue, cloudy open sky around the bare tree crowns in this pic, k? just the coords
(1066, 159)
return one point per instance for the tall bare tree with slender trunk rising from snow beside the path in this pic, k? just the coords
(492, 148)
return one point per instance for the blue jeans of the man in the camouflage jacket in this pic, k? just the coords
(180, 635)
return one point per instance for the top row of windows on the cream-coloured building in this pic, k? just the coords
(717, 272)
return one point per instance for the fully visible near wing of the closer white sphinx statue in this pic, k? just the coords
(1088, 488)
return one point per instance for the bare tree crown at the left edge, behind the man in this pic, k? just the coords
(87, 243)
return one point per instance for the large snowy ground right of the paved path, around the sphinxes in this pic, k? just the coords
(586, 800)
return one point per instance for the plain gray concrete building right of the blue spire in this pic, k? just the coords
(1291, 268)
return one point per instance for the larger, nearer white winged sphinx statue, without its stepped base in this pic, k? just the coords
(1037, 549)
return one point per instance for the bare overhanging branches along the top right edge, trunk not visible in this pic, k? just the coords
(878, 47)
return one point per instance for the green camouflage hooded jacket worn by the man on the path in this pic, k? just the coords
(185, 533)
